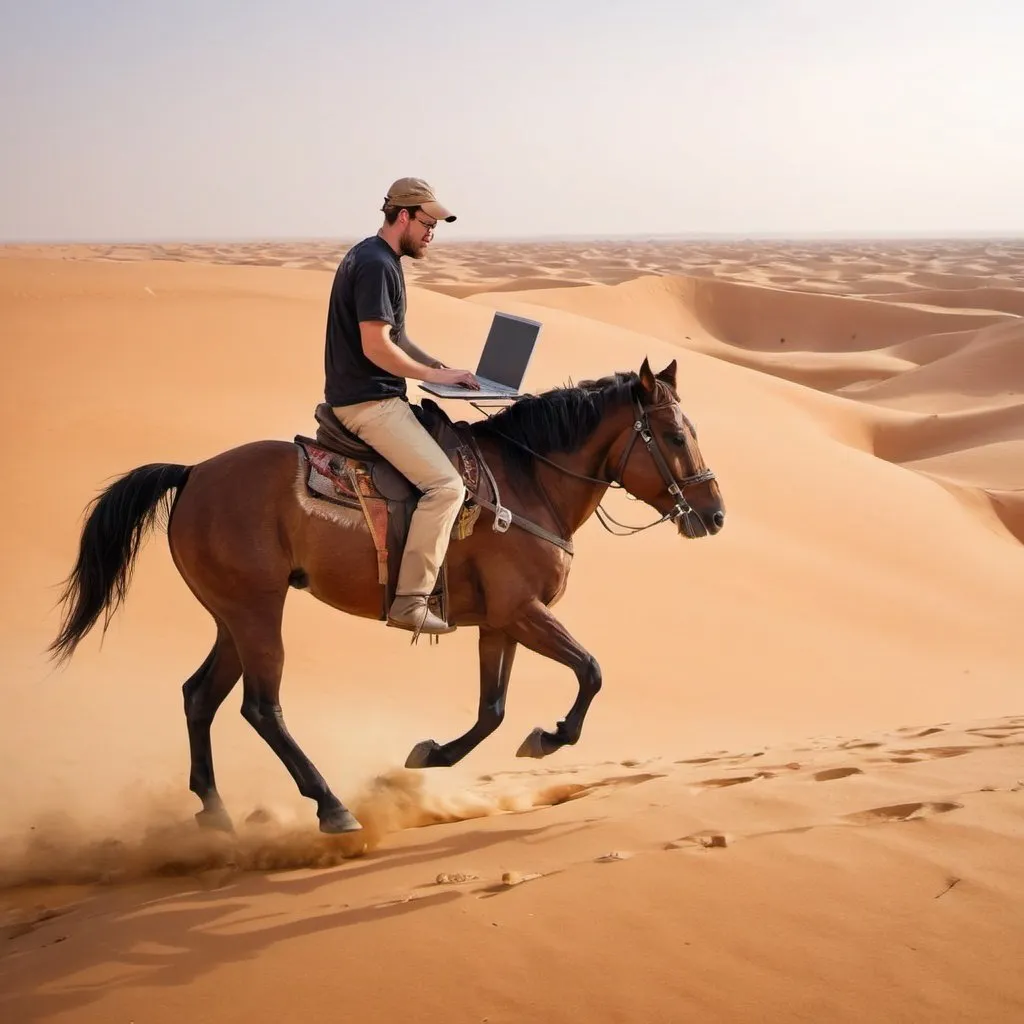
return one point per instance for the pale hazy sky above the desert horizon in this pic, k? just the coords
(252, 119)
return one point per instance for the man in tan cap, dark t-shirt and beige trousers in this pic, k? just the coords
(368, 356)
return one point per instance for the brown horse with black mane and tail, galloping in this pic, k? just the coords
(243, 529)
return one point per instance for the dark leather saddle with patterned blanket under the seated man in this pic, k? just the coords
(342, 468)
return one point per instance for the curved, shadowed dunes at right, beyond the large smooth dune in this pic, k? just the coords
(893, 354)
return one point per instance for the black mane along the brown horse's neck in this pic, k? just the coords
(560, 420)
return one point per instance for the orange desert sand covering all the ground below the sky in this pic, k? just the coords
(800, 794)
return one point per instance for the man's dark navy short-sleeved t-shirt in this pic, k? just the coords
(369, 285)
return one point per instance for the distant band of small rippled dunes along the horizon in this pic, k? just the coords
(847, 267)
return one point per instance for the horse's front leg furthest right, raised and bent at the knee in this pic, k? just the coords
(541, 632)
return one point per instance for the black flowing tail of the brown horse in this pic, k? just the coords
(113, 534)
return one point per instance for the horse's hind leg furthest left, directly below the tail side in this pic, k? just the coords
(204, 693)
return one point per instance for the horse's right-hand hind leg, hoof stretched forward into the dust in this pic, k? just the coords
(263, 655)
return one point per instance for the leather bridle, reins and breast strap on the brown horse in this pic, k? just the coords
(641, 430)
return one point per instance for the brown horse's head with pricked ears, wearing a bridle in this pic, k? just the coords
(659, 461)
